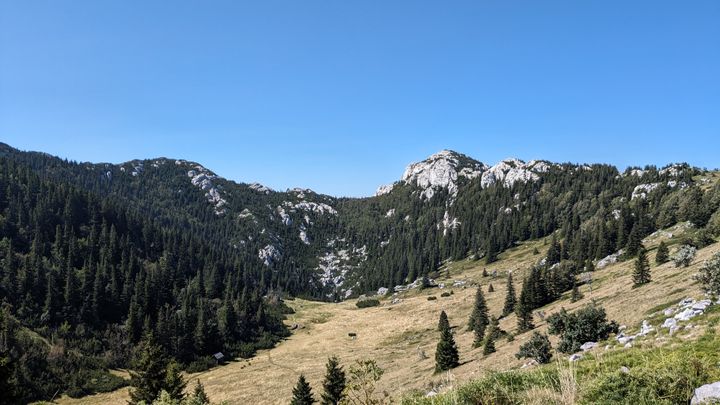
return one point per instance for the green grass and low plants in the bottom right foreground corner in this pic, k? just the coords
(660, 375)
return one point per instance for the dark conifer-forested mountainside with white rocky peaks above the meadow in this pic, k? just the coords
(94, 256)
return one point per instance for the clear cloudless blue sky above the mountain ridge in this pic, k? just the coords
(340, 96)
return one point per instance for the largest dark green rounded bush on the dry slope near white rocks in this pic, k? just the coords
(584, 325)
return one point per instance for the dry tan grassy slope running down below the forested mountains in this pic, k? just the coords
(394, 334)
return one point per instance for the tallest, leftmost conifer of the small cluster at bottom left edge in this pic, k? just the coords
(149, 373)
